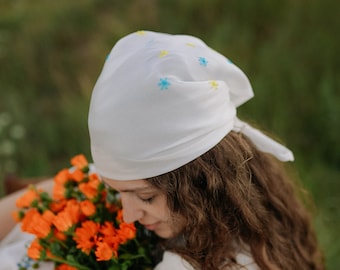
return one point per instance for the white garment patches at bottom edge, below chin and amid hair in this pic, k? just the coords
(172, 261)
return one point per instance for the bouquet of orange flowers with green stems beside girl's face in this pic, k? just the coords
(80, 226)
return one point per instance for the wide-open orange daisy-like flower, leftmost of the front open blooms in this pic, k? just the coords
(86, 235)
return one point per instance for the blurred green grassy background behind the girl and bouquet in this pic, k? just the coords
(51, 53)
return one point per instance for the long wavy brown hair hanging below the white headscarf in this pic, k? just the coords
(236, 196)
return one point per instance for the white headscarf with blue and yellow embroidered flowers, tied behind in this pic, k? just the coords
(163, 100)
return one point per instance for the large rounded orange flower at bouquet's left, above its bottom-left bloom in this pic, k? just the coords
(34, 223)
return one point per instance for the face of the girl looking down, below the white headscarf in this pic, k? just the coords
(146, 204)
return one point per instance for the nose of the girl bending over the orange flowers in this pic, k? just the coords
(131, 210)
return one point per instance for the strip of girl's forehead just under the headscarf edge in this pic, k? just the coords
(127, 185)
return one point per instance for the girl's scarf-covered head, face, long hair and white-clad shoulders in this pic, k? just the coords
(165, 134)
